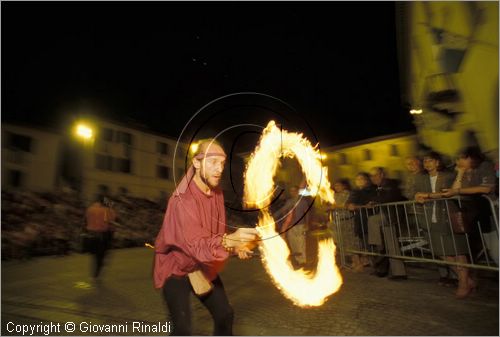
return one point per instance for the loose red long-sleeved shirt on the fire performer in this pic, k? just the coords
(191, 235)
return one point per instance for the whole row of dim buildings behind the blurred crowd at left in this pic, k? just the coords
(117, 160)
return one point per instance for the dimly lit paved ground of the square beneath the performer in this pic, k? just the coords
(47, 290)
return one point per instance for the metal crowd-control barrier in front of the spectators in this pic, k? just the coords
(463, 228)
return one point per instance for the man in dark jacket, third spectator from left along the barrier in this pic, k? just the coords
(382, 226)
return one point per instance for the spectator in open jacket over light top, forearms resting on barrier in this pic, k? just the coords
(444, 243)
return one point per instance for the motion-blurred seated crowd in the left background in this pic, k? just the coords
(36, 224)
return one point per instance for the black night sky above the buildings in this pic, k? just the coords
(159, 62)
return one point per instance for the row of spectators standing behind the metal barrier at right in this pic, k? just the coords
(427, 186)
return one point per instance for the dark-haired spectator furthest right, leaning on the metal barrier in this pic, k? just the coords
(475, 178)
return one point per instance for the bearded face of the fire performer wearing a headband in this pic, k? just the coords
(211, 167)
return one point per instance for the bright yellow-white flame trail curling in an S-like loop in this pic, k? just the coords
(303, 288)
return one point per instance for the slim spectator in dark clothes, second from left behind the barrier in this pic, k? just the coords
(360, 197)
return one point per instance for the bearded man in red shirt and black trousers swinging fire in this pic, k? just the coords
(192, 245)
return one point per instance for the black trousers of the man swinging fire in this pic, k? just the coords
(176, 292)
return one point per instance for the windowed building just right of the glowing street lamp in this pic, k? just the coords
(123, 160)
